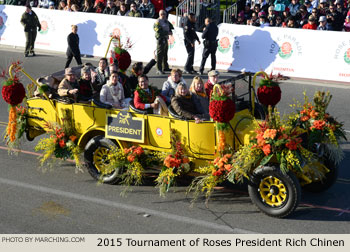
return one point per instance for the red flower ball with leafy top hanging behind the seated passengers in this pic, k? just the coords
(120, 53)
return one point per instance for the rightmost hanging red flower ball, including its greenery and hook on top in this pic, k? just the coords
(269, 91)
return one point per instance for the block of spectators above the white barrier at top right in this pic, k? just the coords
(332, 15)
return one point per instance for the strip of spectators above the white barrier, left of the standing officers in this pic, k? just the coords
(137, 8)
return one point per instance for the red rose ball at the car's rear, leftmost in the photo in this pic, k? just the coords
(13, 92)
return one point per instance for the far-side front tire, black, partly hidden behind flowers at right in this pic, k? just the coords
(329, 179)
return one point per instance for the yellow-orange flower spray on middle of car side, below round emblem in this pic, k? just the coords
(175, 164)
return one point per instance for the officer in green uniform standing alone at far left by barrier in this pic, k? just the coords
(30, 22)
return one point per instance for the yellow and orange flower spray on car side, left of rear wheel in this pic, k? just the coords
(61, 144)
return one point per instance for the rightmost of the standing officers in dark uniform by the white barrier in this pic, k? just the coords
(209, 35)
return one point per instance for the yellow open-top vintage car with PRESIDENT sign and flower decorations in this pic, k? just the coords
(275, 158)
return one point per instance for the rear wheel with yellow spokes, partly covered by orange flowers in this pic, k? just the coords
(94, 150)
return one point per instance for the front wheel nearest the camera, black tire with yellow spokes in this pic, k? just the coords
(270, 180)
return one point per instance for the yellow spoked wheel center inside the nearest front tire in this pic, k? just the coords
(272, 191)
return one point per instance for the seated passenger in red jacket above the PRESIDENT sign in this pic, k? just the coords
(147, 97)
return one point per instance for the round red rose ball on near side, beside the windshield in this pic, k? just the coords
(222, 110)
